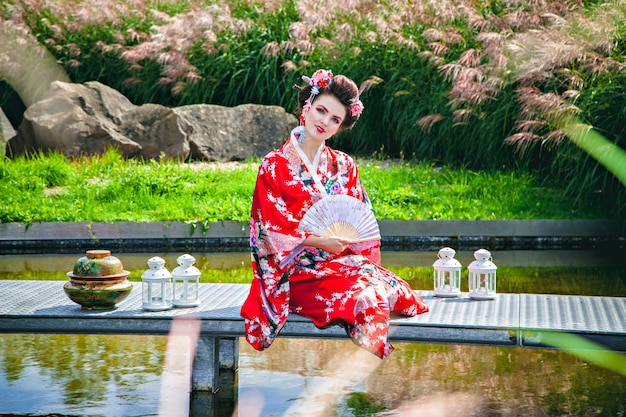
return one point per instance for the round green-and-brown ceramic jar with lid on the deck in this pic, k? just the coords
(98, 281)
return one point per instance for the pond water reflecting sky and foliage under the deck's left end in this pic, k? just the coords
(112, 375)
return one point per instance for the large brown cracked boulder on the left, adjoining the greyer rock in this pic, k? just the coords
(87, 119)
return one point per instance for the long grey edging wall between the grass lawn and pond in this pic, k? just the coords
(397, 235)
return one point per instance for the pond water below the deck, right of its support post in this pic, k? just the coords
(294, 377)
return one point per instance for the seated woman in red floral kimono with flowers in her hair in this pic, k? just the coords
(327, 279)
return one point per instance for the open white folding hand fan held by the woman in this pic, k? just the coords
(341, 216)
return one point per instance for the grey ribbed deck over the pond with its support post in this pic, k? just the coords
(509, 320)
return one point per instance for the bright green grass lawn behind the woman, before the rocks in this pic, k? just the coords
(111, 189)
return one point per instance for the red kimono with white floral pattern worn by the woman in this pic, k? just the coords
(350, 289)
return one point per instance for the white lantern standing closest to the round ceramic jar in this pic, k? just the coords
(156, 285)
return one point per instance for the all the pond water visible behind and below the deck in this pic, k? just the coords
(97, 375)
